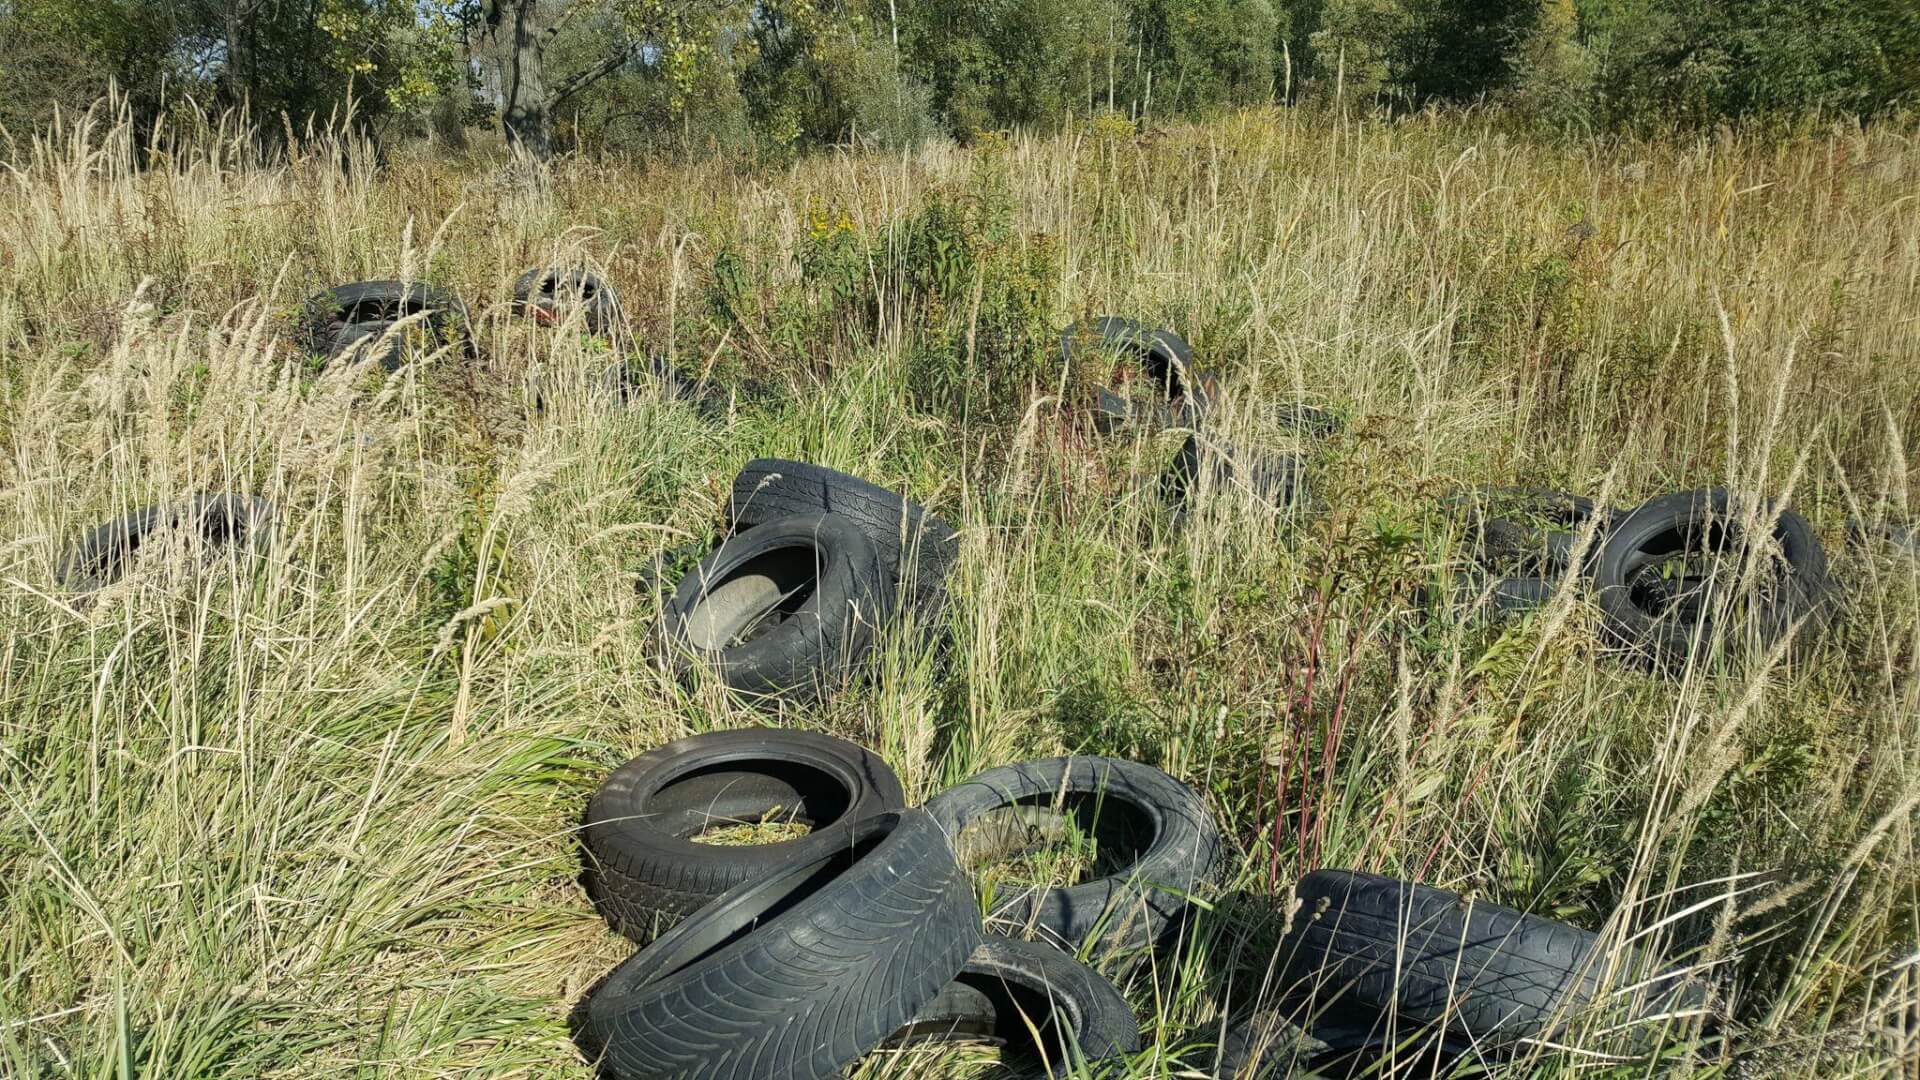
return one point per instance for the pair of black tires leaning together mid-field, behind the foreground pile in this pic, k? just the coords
(815, 564)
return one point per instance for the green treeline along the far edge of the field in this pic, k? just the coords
(784, 76)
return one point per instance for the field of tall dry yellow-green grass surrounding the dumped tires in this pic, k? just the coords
(314, 814)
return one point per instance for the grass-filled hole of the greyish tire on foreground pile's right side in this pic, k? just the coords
(1055, 843)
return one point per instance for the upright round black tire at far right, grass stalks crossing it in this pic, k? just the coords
(1660, 622)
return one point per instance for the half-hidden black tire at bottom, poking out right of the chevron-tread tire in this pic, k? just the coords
(1036, 1002)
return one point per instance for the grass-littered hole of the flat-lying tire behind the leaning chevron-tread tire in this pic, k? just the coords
(748, 802)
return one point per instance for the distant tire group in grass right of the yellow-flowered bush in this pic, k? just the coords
(1182, 395)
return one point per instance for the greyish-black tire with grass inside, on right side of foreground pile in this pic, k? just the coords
(1166, 839)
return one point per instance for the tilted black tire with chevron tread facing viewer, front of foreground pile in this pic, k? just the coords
(796, 975)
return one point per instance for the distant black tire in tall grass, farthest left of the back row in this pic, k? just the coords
(368, 312)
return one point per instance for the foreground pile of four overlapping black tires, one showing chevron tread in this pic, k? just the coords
(802, 956)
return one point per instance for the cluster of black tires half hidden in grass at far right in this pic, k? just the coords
(1671, 576)
